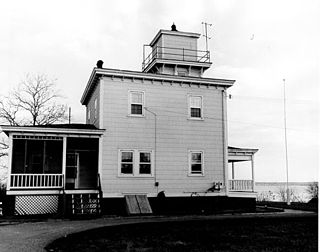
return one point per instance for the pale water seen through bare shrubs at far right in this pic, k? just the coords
(276, 191)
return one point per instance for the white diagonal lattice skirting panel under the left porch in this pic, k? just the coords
(36, 204)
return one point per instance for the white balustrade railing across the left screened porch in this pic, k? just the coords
(34, 181)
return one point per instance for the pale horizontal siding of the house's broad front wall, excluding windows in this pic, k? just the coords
(176, 135)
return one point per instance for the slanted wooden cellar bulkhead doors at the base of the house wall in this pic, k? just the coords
(137, 204)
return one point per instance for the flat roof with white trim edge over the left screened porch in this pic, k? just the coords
(54, 129)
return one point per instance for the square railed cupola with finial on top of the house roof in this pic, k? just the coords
(176, 52)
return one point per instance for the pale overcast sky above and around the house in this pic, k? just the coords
(256, 43)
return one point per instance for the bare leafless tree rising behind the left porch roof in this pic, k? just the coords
(33, 103)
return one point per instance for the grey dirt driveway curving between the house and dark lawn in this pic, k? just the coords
(35, 236)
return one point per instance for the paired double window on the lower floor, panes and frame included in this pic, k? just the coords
(135, 163)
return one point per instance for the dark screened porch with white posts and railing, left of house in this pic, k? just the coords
(57, 160)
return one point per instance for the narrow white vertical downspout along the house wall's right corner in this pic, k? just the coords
(225, 140)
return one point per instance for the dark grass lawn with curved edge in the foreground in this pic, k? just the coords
(239, 234)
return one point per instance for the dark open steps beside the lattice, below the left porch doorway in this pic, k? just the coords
(86, 204)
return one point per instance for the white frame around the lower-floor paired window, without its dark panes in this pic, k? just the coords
(136, 163)
